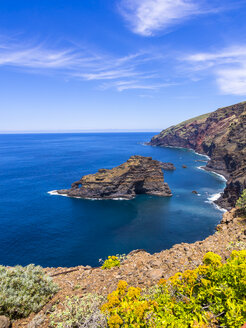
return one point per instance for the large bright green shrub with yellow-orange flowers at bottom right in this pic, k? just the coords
(212, 295)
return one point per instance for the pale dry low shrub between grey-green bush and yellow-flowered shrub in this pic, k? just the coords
(79, 312)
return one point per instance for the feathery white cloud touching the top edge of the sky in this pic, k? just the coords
(146, 17)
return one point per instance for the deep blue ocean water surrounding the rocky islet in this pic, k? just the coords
(49, 230)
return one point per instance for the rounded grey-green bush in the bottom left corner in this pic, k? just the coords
(24, 290)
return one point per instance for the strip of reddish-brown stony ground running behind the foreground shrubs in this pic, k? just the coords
(141, 268)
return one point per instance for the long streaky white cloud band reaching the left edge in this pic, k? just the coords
(125, 72)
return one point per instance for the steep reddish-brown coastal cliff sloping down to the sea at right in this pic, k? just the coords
(222, 136)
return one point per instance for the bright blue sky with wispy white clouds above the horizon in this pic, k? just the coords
(104, 65)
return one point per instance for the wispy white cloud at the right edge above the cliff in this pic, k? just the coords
(228, 66)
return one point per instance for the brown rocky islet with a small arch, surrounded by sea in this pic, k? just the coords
(138, 175)
